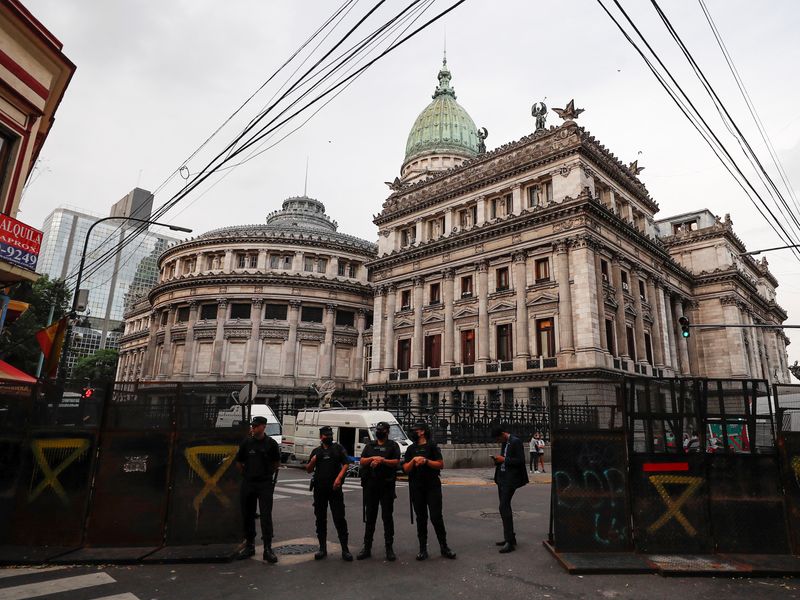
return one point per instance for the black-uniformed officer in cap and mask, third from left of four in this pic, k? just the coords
(379, 461)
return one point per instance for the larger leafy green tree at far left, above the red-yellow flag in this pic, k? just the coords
(18, 345)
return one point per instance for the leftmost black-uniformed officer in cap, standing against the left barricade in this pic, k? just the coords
(258, 459)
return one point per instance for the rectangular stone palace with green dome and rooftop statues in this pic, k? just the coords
(500, 271)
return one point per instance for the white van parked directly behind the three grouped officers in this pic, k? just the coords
(351, 428)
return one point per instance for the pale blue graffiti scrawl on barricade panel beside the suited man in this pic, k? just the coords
(600, 491)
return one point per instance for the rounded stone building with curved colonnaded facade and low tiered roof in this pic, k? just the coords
(284, 304)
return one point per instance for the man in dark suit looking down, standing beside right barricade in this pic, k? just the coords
(509, 474)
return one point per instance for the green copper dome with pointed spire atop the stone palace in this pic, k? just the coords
(444, 126)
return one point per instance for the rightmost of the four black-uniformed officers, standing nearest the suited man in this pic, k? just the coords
(423, 464)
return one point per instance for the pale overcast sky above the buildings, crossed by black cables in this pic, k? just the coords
(155, 78)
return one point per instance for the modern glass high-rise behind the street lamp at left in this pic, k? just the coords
(113, 284)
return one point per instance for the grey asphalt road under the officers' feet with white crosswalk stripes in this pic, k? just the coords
(479, 572)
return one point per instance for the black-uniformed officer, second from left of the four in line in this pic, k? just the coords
(329, 464)
